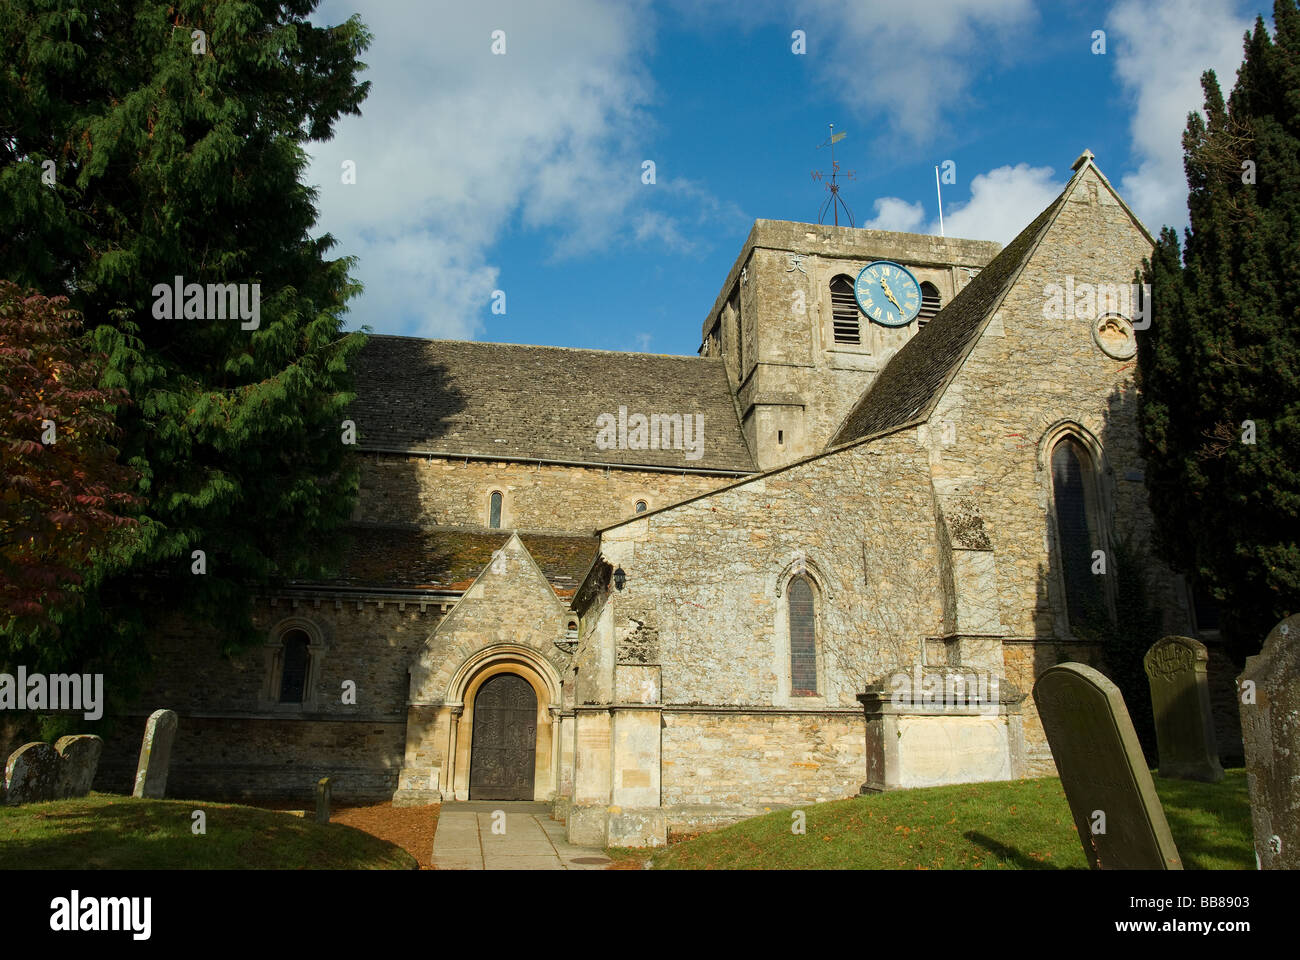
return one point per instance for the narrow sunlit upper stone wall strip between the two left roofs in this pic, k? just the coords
(456, 494)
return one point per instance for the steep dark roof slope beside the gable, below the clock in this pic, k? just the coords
(913, 380)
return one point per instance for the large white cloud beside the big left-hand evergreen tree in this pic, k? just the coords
(457, 146)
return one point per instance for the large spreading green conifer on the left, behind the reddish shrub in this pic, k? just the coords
(144, 141)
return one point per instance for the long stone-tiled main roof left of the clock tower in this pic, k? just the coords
(536, 403)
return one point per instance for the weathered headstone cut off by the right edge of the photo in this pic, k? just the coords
(1269, 690)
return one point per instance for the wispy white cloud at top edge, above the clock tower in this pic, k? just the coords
(912, 60)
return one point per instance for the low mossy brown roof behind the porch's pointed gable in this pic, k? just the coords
(450, 560)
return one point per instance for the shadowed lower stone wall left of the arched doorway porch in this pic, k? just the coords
(236, 742)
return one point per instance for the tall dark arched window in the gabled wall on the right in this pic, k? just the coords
(1078, 533)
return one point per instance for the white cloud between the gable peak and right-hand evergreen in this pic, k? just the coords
(1160, 50)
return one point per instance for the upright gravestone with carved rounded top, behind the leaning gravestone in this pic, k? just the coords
(1181, 702)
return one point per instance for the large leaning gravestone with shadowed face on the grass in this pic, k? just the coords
(1112, 797)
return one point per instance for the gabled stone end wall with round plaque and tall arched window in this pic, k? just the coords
(1028, 375)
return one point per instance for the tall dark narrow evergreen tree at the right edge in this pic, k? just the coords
(1220, 366)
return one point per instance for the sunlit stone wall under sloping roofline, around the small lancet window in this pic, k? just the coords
(705, 577)
